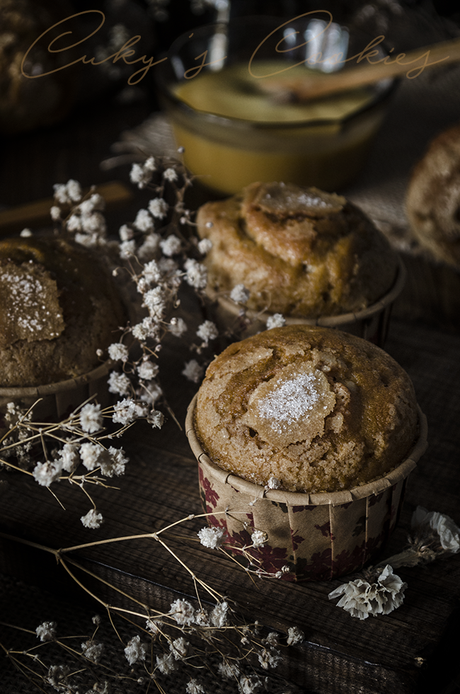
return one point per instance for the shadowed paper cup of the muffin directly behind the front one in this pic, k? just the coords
(370, 323)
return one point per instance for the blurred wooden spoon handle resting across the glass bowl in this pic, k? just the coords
(410, 64)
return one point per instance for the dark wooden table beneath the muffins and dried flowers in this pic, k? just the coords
(410, 651)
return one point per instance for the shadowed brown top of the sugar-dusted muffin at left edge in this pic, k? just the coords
(58, 306)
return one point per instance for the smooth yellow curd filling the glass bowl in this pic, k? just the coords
(234, 133)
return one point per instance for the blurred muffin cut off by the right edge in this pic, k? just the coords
(433, 198)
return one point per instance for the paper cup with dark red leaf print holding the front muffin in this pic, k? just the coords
(315, 536)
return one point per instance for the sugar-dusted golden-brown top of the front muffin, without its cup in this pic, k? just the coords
(317, 409)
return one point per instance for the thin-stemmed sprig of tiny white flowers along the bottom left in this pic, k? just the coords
(202, 635)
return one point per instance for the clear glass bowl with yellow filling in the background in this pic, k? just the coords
(234, 132)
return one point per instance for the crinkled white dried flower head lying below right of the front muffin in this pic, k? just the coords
(361, 598)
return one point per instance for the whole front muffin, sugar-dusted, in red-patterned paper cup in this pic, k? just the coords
(308, 435)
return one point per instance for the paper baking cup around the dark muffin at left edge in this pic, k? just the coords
(57, 400)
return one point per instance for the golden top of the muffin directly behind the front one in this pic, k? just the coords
(300, 251)
